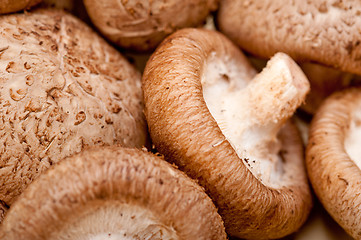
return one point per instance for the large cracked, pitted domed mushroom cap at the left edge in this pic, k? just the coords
(62, 88)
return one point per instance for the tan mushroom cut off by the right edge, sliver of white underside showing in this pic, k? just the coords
(333, 158)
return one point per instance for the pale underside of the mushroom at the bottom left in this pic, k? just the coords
(114, 221)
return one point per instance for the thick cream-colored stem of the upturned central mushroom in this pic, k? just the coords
(267, 102)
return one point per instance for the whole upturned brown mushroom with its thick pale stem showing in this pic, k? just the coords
(209, 113)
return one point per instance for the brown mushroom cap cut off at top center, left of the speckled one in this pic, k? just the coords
(142, 24)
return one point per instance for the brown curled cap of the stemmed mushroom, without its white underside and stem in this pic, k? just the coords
(183, 129)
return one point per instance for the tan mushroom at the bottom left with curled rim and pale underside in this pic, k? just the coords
(114, 192)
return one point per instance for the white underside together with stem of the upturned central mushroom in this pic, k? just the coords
(251, 113)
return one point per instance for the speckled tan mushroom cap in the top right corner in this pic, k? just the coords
(323, 31)
